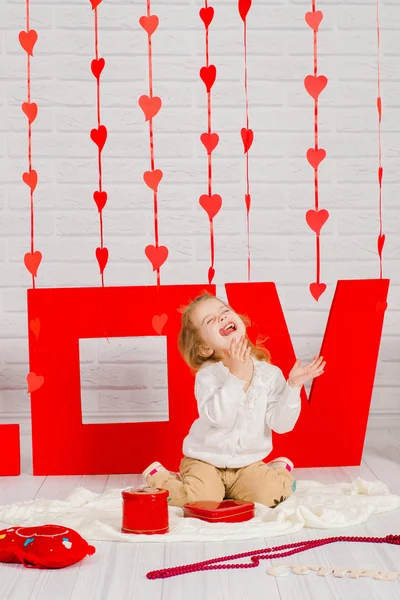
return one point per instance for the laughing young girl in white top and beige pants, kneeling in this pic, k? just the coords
(241, 397)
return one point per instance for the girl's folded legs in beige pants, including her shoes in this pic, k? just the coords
(202, 481)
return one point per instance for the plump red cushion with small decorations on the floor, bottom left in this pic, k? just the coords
(43, 547)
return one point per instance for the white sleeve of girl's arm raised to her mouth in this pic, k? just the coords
(218, 402)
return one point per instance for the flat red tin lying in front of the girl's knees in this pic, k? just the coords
(227, 511)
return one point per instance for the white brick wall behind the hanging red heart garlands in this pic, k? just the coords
(115, 385)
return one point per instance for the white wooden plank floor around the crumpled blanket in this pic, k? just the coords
(118, 571)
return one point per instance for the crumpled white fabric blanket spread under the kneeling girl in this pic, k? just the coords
(98, 516)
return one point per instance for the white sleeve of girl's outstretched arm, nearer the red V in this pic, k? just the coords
(283, 404)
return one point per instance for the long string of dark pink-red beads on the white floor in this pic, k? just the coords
(257, 555)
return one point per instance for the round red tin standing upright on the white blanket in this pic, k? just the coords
(145, 510)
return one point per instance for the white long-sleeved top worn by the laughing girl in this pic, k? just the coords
(234, 427)
